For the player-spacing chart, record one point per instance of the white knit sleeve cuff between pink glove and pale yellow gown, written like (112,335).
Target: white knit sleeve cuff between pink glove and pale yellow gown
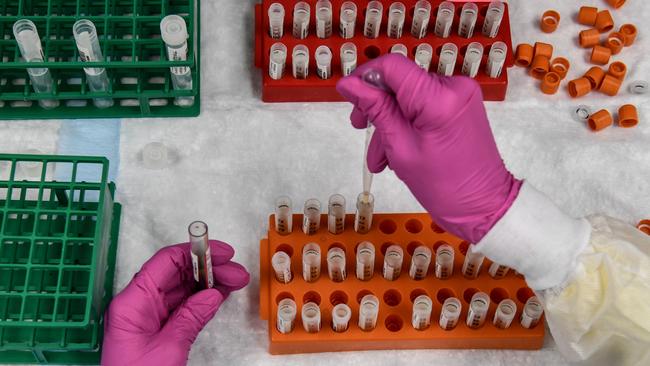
(536,239)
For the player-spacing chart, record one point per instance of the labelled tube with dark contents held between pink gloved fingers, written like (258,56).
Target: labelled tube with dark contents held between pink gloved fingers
(200,253)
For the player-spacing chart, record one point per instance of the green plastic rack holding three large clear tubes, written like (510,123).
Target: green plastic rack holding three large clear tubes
(135,59)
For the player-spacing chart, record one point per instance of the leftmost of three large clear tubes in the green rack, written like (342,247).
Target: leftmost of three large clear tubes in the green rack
(31,50)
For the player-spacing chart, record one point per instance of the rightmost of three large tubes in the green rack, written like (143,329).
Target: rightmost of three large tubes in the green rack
(174,33)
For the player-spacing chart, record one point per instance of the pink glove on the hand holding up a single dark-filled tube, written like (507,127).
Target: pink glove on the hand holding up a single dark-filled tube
(157,317)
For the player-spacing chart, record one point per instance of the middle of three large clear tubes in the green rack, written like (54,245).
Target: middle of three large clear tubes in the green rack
(85,35)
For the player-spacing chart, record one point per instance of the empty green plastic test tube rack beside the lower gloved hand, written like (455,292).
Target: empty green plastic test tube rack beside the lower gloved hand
(58,242)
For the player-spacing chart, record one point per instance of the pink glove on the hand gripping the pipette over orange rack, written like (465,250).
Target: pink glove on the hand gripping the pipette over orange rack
(434,133)
